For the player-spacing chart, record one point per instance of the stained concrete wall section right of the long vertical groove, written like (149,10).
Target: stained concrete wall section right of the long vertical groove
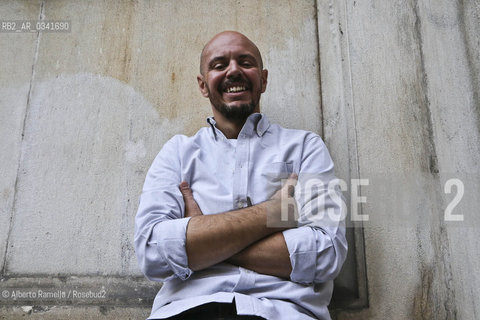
(406,98)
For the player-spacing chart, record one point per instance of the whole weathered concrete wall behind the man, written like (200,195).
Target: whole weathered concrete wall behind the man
(393,86)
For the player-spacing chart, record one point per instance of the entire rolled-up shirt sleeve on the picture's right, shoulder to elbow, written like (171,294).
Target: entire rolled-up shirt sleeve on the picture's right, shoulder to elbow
(318,247)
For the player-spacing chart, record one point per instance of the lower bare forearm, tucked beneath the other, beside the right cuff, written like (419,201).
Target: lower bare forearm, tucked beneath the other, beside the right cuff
(267,256)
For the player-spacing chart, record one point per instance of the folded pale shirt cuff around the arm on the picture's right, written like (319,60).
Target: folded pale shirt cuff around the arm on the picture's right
(301,244)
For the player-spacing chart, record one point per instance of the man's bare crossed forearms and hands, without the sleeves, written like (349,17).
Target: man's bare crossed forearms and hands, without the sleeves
(240,237)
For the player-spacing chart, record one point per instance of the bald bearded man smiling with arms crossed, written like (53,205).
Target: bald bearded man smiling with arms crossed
(214,222)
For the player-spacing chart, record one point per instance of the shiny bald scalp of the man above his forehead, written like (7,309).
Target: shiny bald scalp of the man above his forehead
(225,37)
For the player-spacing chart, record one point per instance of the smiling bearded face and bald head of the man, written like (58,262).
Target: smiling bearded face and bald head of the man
(232,75)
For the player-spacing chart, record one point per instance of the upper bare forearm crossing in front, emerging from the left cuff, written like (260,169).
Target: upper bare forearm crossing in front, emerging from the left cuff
(211,239)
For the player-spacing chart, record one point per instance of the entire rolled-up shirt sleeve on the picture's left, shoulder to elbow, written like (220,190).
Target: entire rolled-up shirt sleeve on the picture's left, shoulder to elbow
(160,228)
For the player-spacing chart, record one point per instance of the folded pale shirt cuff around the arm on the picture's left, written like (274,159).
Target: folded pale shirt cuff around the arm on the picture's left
(170,236)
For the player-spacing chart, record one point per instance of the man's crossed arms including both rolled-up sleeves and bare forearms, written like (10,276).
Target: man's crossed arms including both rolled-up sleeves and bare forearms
(171,242)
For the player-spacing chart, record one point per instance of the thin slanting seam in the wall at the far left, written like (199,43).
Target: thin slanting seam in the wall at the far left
(29,99)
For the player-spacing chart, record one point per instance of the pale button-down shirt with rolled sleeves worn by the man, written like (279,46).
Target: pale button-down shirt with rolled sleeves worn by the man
(224,176)
